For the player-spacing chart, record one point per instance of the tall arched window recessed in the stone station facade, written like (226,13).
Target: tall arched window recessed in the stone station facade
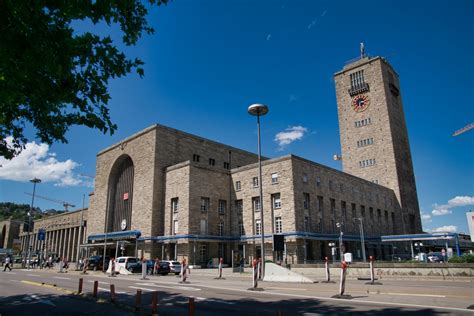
(120,195)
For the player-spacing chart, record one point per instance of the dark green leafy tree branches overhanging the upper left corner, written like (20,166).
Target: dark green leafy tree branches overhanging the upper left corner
(52,77)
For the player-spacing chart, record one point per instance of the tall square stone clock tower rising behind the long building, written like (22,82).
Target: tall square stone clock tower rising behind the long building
(373,132)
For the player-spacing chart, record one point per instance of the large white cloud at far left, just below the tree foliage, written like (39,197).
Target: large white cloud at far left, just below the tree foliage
(35,161)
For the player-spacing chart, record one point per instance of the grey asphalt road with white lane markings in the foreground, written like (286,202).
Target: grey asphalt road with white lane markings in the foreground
(22,293)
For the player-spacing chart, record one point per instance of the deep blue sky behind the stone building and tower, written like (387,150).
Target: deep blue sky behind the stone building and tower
(209,60)
